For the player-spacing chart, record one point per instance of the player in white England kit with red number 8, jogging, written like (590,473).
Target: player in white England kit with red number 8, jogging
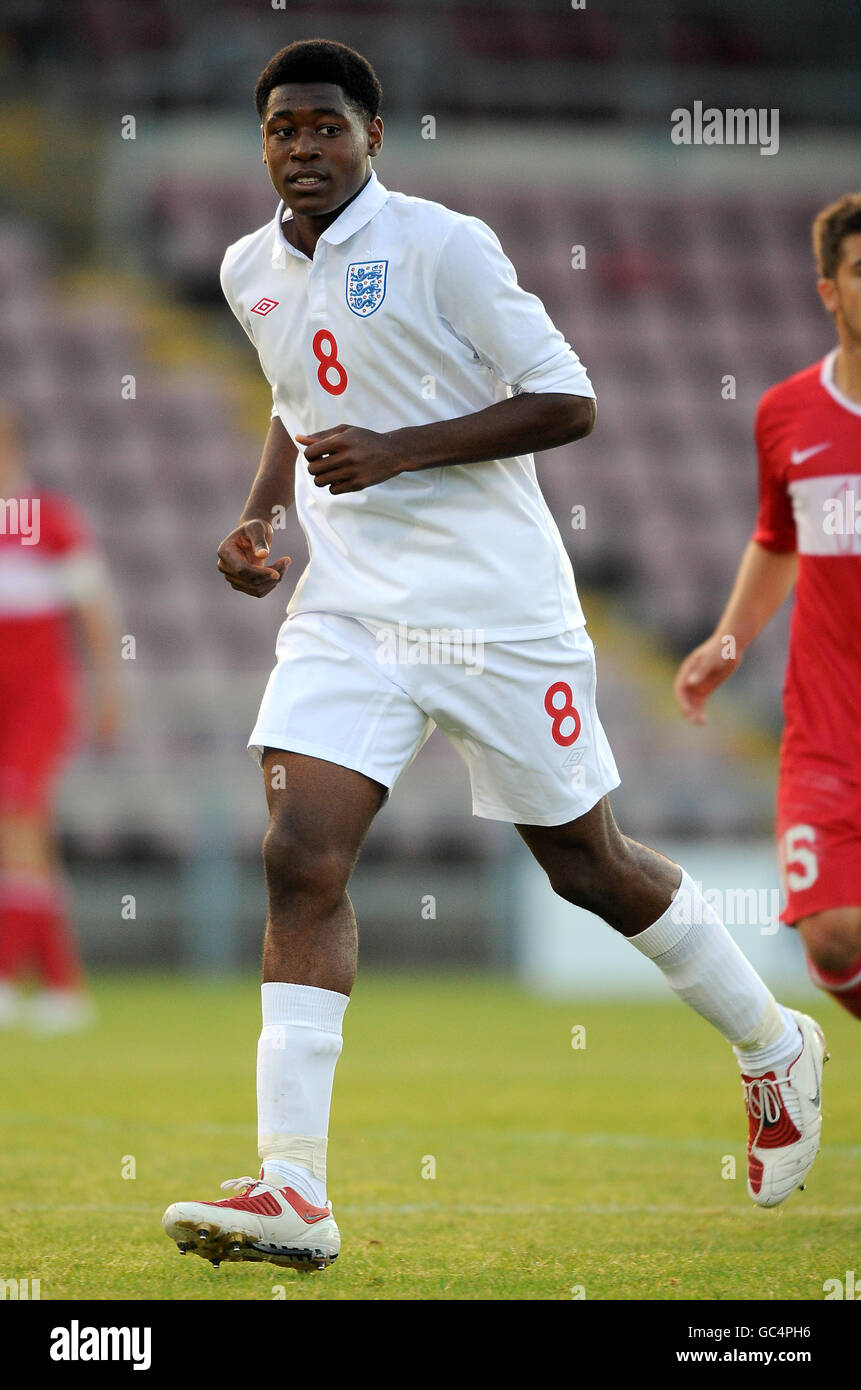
(412,383)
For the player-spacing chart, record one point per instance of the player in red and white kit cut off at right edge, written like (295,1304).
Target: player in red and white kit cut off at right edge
(809,533)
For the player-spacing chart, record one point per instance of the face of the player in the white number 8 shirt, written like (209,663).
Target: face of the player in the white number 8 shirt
(316,147)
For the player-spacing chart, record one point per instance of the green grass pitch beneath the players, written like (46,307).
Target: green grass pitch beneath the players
(554,1167)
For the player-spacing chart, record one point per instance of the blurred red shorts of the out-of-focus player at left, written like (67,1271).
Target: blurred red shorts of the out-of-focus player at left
(38,729)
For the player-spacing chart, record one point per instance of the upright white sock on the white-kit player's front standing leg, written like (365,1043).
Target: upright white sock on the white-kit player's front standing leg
(297,1056)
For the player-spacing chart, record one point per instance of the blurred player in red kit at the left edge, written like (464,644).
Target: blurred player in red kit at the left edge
(49,573)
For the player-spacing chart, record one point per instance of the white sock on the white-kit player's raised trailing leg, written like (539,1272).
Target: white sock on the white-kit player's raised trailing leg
(706,968)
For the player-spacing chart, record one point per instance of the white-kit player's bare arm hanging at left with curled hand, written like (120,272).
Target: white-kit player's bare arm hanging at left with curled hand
(244,554)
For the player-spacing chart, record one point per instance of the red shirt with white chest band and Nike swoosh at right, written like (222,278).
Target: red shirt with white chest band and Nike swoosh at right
(809,441)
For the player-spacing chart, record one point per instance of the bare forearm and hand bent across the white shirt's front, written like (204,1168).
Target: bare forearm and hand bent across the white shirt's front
(348,459)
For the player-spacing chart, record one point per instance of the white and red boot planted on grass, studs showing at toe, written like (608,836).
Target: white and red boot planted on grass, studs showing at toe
(264,1223)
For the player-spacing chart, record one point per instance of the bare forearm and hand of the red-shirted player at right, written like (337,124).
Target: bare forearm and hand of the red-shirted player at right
(763,584)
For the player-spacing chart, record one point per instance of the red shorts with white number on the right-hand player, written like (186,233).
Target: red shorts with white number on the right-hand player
(819,843)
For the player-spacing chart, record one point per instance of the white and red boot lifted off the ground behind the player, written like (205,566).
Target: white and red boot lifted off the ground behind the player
(785,1120)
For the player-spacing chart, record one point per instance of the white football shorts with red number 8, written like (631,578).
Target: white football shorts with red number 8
(522,715)
